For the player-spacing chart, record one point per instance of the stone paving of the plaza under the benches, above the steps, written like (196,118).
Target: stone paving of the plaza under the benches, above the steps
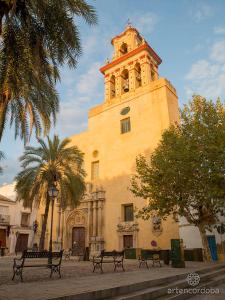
(77,277)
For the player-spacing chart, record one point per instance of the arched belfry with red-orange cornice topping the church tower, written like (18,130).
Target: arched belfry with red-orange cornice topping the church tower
(134,65)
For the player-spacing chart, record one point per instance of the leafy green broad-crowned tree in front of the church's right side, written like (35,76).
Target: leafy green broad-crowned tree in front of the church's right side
(186,172)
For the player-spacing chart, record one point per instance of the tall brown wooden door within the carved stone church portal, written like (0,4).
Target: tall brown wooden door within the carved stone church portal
(78,240)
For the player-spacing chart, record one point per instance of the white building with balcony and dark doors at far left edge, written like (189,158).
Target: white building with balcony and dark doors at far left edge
(16,222)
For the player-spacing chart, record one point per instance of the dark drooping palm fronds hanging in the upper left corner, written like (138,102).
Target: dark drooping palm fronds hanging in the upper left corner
(36,38)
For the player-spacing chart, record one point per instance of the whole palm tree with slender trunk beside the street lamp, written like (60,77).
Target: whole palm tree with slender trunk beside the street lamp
(54,162)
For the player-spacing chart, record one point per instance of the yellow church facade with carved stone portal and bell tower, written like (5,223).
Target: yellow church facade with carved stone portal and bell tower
(138,106)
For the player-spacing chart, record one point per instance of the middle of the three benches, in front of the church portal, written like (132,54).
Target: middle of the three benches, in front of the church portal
(114,257)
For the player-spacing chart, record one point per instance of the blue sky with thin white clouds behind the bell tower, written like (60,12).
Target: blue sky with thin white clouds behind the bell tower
(188,35)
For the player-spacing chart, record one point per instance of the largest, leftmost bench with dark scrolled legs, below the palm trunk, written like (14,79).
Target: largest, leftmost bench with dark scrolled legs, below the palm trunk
(52,261)
